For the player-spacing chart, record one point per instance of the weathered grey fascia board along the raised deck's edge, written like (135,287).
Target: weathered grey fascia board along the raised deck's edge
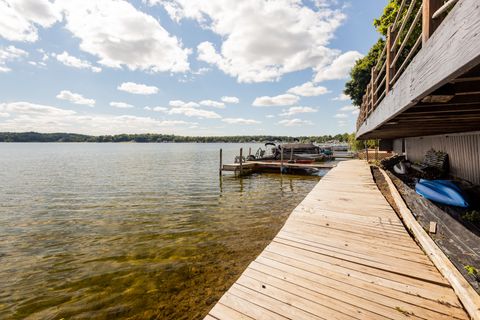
(455,46)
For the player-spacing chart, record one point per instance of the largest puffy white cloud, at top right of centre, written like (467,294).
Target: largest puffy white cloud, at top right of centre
(293,36)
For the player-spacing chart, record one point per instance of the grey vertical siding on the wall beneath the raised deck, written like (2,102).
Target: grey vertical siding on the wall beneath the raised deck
(463,152)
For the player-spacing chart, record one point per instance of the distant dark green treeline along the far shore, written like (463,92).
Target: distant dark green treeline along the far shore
(151,137)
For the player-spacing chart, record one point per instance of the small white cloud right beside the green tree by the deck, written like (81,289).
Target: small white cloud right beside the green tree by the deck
(339,68)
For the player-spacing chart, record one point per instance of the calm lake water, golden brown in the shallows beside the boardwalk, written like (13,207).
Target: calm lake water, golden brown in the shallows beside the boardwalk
(132,231)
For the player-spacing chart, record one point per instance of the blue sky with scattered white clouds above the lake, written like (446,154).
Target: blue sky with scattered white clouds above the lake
(185,67)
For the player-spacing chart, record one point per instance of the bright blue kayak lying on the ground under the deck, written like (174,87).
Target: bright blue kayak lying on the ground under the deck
(441,191)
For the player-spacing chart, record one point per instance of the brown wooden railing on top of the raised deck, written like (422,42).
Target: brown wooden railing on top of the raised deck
(402,43)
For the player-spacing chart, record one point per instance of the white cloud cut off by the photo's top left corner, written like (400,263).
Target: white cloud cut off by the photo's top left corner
(19,18)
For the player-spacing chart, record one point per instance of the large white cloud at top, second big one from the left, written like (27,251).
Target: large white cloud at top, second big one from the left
(120,35)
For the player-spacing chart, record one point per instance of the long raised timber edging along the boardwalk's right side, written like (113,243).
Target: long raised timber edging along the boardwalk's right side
(466,294)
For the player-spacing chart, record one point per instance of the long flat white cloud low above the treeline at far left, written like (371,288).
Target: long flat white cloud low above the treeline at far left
(26,116)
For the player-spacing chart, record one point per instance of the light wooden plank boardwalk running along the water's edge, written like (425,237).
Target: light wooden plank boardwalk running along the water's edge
(342,254)
